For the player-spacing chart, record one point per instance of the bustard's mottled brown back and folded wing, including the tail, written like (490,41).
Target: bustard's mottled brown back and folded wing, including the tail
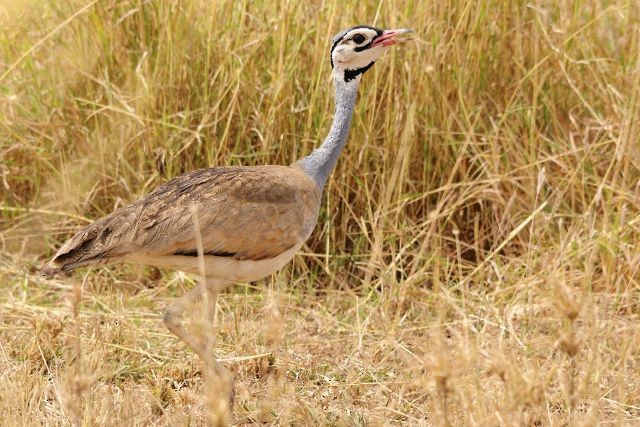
(249,213)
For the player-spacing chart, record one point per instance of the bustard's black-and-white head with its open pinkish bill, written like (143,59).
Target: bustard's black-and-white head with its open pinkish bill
(356,49)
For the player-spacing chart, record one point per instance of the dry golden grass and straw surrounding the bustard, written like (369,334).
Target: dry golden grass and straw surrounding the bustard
(476,259)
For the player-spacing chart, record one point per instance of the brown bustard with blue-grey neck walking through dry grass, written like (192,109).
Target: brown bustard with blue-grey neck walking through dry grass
(227,224)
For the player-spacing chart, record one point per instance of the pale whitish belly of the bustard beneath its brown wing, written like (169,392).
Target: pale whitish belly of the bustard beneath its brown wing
(225,269)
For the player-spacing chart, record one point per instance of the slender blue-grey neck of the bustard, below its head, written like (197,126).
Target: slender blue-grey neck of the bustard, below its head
(319,164)
